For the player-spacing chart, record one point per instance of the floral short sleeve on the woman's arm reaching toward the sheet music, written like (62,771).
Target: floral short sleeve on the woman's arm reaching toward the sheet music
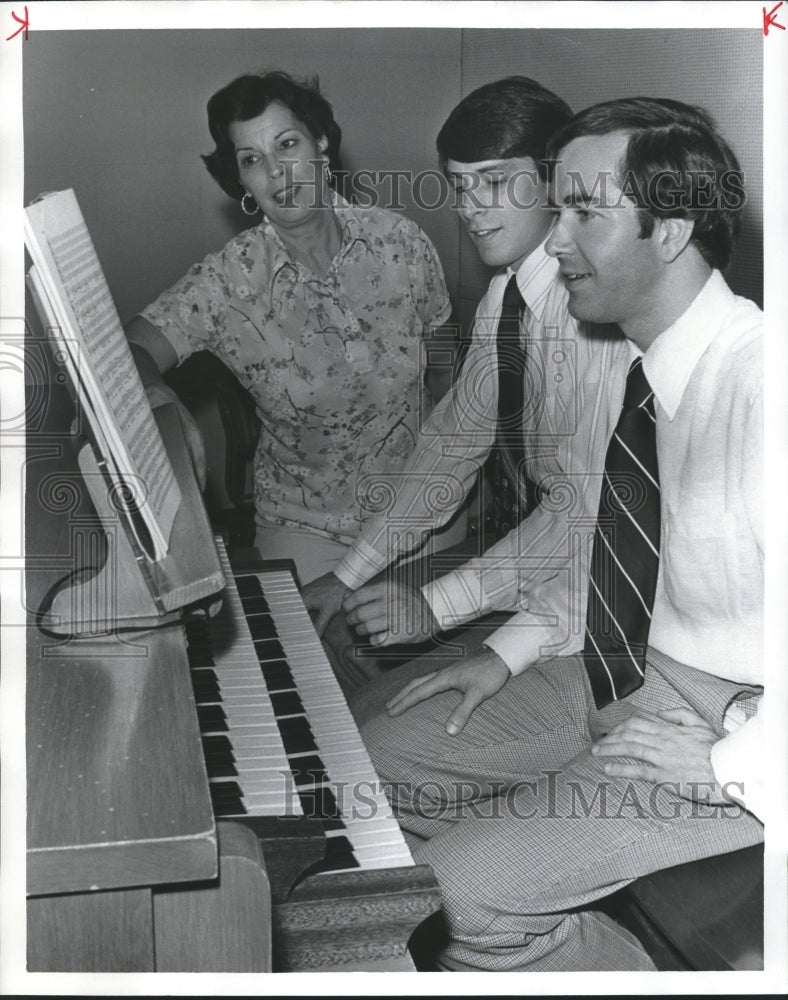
(193,313)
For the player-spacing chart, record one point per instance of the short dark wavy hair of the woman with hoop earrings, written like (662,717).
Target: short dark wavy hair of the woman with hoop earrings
(247,97)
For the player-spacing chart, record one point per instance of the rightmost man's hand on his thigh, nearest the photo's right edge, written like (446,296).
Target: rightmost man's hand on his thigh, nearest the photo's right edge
(674,749)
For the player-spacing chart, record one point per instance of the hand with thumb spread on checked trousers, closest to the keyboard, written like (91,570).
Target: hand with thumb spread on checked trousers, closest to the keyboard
(478,677)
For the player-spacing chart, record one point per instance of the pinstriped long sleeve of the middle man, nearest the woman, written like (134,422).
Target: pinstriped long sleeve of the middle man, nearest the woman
(453,443)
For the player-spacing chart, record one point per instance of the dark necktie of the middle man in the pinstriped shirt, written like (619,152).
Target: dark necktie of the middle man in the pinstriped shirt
(512,495)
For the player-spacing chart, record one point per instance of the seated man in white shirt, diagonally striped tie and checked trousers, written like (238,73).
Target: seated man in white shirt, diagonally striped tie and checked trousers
(589,756)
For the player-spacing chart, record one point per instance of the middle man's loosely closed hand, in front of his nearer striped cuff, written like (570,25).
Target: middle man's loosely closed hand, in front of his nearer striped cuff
(390,612)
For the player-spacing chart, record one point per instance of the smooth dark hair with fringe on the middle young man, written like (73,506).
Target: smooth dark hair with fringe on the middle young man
(510,117)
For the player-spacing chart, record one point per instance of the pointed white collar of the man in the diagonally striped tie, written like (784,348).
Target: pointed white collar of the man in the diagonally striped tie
(670,361)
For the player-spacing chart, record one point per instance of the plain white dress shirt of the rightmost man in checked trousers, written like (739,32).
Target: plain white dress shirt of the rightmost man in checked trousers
(707,377)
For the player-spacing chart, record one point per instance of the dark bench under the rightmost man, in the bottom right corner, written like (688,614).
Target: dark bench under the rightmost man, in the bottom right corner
(705,915)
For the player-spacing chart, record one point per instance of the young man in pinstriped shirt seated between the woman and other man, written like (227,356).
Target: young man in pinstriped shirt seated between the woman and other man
(526,401)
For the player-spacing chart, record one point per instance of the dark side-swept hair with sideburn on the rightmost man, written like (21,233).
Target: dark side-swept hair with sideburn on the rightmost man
(676,166)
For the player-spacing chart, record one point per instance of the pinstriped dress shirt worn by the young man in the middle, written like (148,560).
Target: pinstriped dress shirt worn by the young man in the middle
(571,366)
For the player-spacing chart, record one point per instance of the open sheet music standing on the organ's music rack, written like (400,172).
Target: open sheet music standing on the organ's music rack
(71,289)
